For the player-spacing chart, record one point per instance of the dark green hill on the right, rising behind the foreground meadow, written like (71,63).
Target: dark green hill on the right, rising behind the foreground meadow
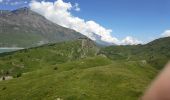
(155,53)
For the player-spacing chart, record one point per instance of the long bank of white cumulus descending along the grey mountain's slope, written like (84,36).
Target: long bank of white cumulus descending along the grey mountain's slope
(59,12)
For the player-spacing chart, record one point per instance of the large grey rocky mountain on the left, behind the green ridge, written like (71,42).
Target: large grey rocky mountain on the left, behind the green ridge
(25,28)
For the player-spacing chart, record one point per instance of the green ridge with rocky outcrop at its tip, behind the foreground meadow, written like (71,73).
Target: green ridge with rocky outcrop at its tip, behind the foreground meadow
(36,58)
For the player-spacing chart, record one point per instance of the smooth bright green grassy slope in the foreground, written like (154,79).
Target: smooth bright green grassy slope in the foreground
(96,78)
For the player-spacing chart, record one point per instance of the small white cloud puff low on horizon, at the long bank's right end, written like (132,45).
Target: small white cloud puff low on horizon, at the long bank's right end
(130,41)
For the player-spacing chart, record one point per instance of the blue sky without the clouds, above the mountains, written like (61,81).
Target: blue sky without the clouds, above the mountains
(142,19)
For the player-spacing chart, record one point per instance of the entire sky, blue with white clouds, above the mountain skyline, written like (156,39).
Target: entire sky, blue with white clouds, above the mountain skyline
(115,21)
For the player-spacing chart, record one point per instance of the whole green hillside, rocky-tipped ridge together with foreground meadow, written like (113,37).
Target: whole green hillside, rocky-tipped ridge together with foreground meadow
(72,70)
